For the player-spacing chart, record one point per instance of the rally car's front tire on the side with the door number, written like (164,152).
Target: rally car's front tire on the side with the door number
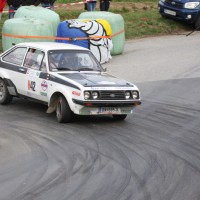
(63,111)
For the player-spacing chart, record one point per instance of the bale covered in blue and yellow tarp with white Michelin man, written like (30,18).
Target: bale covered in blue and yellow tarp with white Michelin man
(80,30)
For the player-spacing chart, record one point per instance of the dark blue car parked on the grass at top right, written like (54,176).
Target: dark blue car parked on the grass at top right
(183,10)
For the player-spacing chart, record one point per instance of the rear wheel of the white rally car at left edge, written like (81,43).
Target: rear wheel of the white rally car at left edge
(5,97)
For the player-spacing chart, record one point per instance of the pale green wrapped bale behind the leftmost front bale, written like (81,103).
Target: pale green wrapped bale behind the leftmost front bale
(38,12)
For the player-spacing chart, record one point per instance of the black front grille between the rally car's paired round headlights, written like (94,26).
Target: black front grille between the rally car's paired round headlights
(112,95)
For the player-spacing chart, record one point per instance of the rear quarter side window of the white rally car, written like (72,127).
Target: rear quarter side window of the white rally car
(16,56)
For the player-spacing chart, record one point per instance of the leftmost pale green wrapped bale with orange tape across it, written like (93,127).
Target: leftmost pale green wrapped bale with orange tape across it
(14,28)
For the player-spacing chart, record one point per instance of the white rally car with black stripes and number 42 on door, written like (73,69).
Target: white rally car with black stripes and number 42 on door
(67,78)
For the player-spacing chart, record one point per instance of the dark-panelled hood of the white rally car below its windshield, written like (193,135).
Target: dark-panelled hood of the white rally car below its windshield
(96,79)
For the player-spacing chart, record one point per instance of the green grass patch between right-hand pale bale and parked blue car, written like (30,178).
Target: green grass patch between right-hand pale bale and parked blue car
(149,23)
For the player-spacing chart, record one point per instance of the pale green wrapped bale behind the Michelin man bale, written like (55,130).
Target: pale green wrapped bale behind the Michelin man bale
(117,25)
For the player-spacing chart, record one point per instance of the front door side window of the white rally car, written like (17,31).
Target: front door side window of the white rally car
(34,59)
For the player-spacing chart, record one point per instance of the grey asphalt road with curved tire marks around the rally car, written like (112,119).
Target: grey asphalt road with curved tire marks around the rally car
(153,155)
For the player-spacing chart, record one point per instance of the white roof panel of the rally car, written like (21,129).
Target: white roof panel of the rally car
(51,46)
